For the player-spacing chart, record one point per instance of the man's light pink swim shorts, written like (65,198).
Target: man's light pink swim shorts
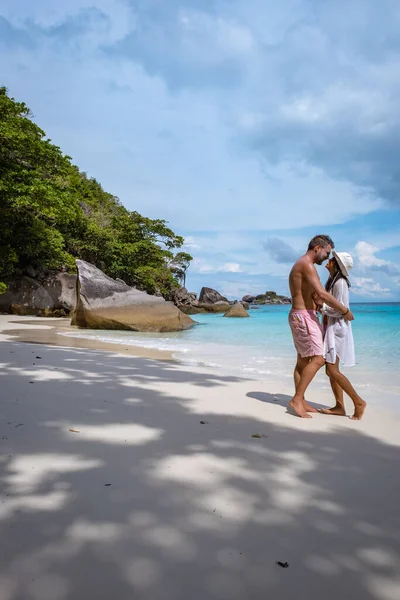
(307,332)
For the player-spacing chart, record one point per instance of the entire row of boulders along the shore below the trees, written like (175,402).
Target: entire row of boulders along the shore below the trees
(100,302)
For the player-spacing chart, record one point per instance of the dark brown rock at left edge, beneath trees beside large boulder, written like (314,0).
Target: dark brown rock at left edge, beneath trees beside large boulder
(42,293)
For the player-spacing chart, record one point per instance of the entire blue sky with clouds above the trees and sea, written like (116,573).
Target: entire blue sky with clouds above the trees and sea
(249,125)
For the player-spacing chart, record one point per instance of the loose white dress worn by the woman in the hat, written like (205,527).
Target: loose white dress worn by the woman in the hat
(338,335)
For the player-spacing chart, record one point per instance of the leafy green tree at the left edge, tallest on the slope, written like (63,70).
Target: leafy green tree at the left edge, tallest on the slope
(34,194)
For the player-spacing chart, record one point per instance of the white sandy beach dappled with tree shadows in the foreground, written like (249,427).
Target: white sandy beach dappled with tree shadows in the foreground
(141,500)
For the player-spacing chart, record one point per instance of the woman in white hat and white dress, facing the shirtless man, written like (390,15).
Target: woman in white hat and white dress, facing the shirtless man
(338,337)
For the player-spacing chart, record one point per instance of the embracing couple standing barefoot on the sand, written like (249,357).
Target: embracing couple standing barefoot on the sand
(330,342)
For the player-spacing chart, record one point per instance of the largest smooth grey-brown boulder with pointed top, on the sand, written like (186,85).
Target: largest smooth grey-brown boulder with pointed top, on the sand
(104,303)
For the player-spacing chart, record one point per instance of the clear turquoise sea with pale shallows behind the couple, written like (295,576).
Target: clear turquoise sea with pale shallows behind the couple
(262,344)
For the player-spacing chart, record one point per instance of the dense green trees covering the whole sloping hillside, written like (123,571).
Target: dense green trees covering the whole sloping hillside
(51,213)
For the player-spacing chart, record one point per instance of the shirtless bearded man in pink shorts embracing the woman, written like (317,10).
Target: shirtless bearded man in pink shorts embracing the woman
(303,321)
